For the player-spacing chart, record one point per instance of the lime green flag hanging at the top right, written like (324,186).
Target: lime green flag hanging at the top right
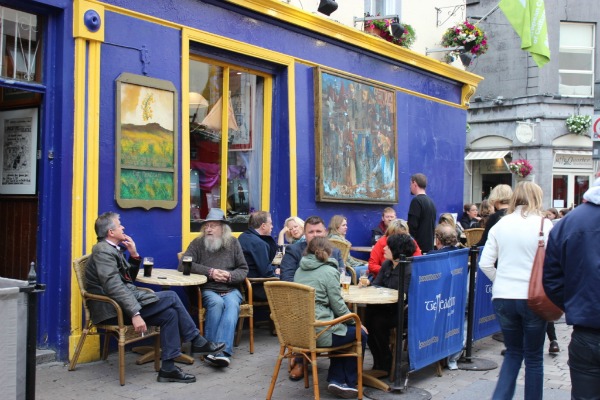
(528,17)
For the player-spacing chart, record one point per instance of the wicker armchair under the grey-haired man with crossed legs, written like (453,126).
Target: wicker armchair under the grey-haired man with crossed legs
(125,334)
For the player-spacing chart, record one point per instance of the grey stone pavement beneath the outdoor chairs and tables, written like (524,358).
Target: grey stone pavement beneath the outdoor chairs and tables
(249,375)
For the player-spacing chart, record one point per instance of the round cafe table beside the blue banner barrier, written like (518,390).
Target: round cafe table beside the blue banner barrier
(371,295)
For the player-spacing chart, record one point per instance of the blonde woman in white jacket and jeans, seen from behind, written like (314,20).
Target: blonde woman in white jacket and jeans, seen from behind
(513,243)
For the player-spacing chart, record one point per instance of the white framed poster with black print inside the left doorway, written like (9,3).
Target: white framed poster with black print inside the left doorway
(18,135)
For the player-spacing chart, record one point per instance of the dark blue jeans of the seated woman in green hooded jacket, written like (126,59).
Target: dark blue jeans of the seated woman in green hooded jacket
(343,369)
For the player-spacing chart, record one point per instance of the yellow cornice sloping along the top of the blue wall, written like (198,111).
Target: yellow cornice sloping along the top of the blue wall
(313,21)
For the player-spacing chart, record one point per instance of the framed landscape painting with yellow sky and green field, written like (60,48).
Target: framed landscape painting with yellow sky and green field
(146,132)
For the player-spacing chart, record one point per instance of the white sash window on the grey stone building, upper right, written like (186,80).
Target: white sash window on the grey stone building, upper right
(576,59)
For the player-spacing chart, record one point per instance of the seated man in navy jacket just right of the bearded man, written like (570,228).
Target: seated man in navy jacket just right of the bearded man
(259,250)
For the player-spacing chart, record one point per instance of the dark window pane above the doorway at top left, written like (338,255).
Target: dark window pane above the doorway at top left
(20,45)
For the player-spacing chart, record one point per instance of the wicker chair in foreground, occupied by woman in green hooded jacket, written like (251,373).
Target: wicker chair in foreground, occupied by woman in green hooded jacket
(293,312)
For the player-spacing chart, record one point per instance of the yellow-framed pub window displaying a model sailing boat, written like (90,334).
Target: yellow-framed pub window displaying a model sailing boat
(225,101)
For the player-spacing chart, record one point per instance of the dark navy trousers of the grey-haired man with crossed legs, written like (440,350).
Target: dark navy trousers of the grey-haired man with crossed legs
(174,321)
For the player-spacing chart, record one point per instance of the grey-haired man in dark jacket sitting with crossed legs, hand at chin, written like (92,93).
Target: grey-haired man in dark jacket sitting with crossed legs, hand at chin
(108,273)
